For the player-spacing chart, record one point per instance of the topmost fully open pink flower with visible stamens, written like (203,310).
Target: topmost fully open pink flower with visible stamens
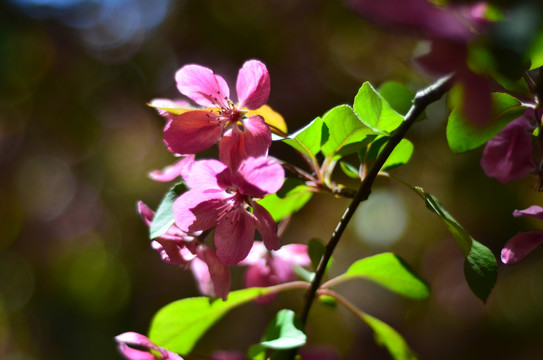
(194,131)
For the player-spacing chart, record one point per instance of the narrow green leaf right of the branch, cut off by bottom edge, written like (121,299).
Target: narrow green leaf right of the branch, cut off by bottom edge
(389,338)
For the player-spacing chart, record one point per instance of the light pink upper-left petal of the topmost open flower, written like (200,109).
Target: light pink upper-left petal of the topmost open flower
(202,85)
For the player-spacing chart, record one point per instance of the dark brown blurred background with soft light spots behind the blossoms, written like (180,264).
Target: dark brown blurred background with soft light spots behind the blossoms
(77,141)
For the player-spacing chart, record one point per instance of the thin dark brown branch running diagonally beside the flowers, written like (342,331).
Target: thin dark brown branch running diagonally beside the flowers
(422,99)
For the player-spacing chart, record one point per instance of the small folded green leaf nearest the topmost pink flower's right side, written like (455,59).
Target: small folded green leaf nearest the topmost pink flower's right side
(309,139)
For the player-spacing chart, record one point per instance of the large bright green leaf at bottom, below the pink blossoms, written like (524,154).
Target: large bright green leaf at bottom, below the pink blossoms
(180,324)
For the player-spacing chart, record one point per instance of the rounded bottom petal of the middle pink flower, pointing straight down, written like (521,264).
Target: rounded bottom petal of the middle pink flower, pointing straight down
(234,236)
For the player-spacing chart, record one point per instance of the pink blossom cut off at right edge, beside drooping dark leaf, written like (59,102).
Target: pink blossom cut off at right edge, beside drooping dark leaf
(522,244)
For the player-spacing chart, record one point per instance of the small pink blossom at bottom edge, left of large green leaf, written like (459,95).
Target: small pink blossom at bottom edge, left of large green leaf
(150,351)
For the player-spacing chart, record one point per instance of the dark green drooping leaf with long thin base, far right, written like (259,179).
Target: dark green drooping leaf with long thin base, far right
(480,267)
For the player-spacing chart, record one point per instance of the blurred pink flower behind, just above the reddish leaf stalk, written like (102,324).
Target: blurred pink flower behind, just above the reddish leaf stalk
(268,268)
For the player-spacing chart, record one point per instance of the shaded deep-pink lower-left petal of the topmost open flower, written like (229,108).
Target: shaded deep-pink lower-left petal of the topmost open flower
(191,132)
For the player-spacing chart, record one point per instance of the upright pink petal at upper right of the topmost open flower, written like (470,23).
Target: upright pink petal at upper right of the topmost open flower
(253,85)
